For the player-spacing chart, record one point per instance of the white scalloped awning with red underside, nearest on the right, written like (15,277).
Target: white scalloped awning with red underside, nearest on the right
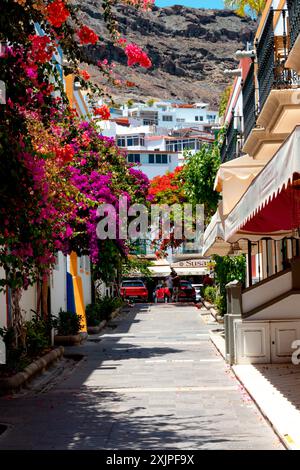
(271,205)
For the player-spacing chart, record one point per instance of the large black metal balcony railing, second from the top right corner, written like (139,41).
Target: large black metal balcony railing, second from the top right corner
(272,53)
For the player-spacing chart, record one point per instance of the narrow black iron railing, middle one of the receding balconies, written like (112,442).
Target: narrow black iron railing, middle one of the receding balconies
(249,105)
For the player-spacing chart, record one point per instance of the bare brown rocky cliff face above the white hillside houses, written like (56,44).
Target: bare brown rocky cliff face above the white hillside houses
(189,49)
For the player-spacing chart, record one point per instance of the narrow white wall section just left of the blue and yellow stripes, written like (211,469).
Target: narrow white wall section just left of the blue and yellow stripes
(58,285)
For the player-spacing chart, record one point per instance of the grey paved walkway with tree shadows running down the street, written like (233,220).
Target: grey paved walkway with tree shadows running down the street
(153,381)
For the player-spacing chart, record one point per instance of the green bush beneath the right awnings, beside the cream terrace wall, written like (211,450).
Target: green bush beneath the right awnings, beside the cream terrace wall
(227,269)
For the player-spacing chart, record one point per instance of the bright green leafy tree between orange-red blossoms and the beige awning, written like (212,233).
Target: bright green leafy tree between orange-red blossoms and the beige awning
(199,175)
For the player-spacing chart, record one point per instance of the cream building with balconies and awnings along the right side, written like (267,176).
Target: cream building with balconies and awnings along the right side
(259,181)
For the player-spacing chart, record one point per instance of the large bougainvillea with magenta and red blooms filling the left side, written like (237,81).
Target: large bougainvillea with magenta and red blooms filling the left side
(46,154)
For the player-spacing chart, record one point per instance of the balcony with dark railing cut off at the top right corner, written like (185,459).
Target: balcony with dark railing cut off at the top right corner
(293,61)
